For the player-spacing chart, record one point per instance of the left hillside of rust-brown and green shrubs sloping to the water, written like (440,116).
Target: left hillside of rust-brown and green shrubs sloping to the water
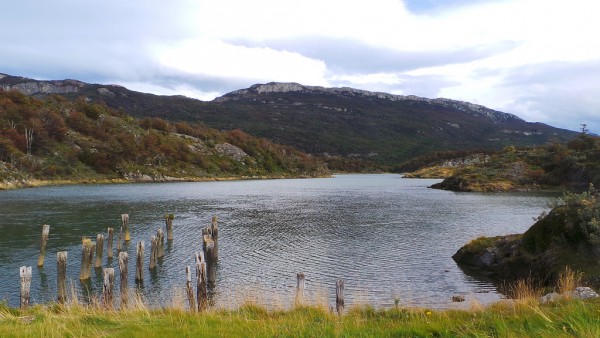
(78,141)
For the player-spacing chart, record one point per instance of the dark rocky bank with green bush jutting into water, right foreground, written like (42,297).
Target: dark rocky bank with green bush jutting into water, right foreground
(567,236)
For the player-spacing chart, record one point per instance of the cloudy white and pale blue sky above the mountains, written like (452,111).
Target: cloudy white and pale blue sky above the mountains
(537,59)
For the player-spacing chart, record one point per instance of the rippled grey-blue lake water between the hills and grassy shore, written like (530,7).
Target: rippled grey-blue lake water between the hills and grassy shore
(390,238)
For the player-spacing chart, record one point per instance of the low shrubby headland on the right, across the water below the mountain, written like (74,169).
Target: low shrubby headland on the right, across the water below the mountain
(571,166)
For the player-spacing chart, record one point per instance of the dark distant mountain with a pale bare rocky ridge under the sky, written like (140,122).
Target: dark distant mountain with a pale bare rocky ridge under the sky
(380,127)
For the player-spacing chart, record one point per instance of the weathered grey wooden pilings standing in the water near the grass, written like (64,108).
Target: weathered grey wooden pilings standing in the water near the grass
(205,266)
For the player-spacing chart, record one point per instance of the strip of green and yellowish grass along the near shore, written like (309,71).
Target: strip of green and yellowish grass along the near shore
(508,319)
